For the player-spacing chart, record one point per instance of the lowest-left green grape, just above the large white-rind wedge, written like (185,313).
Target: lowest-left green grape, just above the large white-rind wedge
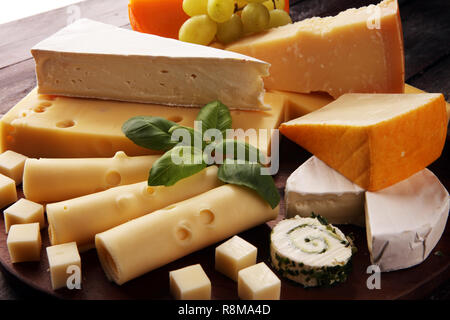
(199,29)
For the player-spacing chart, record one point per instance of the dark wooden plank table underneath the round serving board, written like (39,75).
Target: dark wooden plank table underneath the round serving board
(426,28)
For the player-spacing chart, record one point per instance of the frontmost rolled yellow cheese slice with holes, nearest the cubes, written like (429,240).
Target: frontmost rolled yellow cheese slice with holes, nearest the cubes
(149,242)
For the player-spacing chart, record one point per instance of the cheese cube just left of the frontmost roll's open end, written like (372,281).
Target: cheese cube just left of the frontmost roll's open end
(60,258)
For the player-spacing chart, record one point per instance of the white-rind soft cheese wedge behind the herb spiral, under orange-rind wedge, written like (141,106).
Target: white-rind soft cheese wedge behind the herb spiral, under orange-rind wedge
(316,188)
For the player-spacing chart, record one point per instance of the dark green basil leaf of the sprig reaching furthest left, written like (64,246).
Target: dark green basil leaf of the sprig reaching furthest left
(150,132)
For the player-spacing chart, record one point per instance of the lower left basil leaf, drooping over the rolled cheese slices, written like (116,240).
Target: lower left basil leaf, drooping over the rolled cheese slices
(166,172)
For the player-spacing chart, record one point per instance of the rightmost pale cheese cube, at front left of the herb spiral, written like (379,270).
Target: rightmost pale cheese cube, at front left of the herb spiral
(258,282)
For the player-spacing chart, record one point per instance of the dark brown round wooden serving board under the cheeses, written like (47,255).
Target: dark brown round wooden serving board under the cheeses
(415,282)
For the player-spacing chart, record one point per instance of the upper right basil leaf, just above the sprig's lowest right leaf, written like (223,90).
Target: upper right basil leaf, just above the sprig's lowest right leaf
(241,151)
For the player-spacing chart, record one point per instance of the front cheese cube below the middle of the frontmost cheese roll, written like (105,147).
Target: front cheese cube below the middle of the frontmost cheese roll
(190,283)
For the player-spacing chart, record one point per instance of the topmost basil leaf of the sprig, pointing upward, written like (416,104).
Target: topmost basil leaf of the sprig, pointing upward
(215,115)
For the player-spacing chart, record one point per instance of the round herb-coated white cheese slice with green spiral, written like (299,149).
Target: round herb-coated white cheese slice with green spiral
(310,252)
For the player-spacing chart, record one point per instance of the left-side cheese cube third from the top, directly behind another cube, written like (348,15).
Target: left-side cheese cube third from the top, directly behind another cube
(24,211)
